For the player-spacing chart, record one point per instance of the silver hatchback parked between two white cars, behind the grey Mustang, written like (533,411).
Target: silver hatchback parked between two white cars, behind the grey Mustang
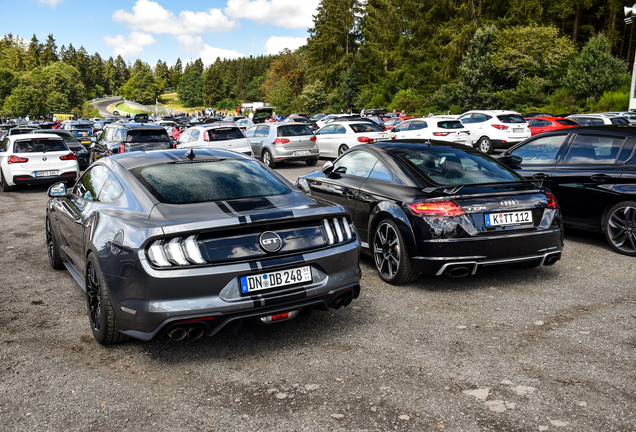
(278,142)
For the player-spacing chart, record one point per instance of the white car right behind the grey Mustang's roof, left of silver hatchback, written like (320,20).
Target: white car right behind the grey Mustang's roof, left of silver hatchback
(223,136)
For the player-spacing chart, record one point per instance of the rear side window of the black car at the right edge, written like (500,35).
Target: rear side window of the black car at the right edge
(594,149)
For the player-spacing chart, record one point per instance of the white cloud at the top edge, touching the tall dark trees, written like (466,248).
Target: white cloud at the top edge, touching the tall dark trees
(290,14)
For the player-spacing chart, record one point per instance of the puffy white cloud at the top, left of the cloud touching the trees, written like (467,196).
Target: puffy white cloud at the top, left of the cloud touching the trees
(151,17)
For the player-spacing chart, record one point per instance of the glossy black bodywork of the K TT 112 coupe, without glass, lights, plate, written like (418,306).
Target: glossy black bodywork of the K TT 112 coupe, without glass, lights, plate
(433,242)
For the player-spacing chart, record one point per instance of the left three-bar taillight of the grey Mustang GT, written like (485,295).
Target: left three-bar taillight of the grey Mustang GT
(176,252)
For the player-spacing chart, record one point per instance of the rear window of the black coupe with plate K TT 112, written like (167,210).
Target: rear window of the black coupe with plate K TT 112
(458,167)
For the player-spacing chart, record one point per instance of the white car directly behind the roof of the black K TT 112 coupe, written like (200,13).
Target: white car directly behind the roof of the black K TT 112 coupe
(438,128)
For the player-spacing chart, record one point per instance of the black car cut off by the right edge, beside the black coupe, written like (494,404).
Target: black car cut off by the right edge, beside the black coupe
(592,172)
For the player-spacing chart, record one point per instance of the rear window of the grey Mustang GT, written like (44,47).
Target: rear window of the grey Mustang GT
(187,183)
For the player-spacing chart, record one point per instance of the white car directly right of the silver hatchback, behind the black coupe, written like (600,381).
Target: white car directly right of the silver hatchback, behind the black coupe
(338,137)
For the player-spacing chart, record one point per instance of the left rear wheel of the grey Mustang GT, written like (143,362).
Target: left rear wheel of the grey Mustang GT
(101,313)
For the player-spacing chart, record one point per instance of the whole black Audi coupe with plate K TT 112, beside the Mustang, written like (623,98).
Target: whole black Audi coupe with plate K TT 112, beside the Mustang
(437,208)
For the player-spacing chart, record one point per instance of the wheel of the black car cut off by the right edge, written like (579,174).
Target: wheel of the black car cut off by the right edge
(620,228)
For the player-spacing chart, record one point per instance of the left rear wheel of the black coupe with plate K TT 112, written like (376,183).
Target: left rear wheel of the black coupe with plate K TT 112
(391,258)
